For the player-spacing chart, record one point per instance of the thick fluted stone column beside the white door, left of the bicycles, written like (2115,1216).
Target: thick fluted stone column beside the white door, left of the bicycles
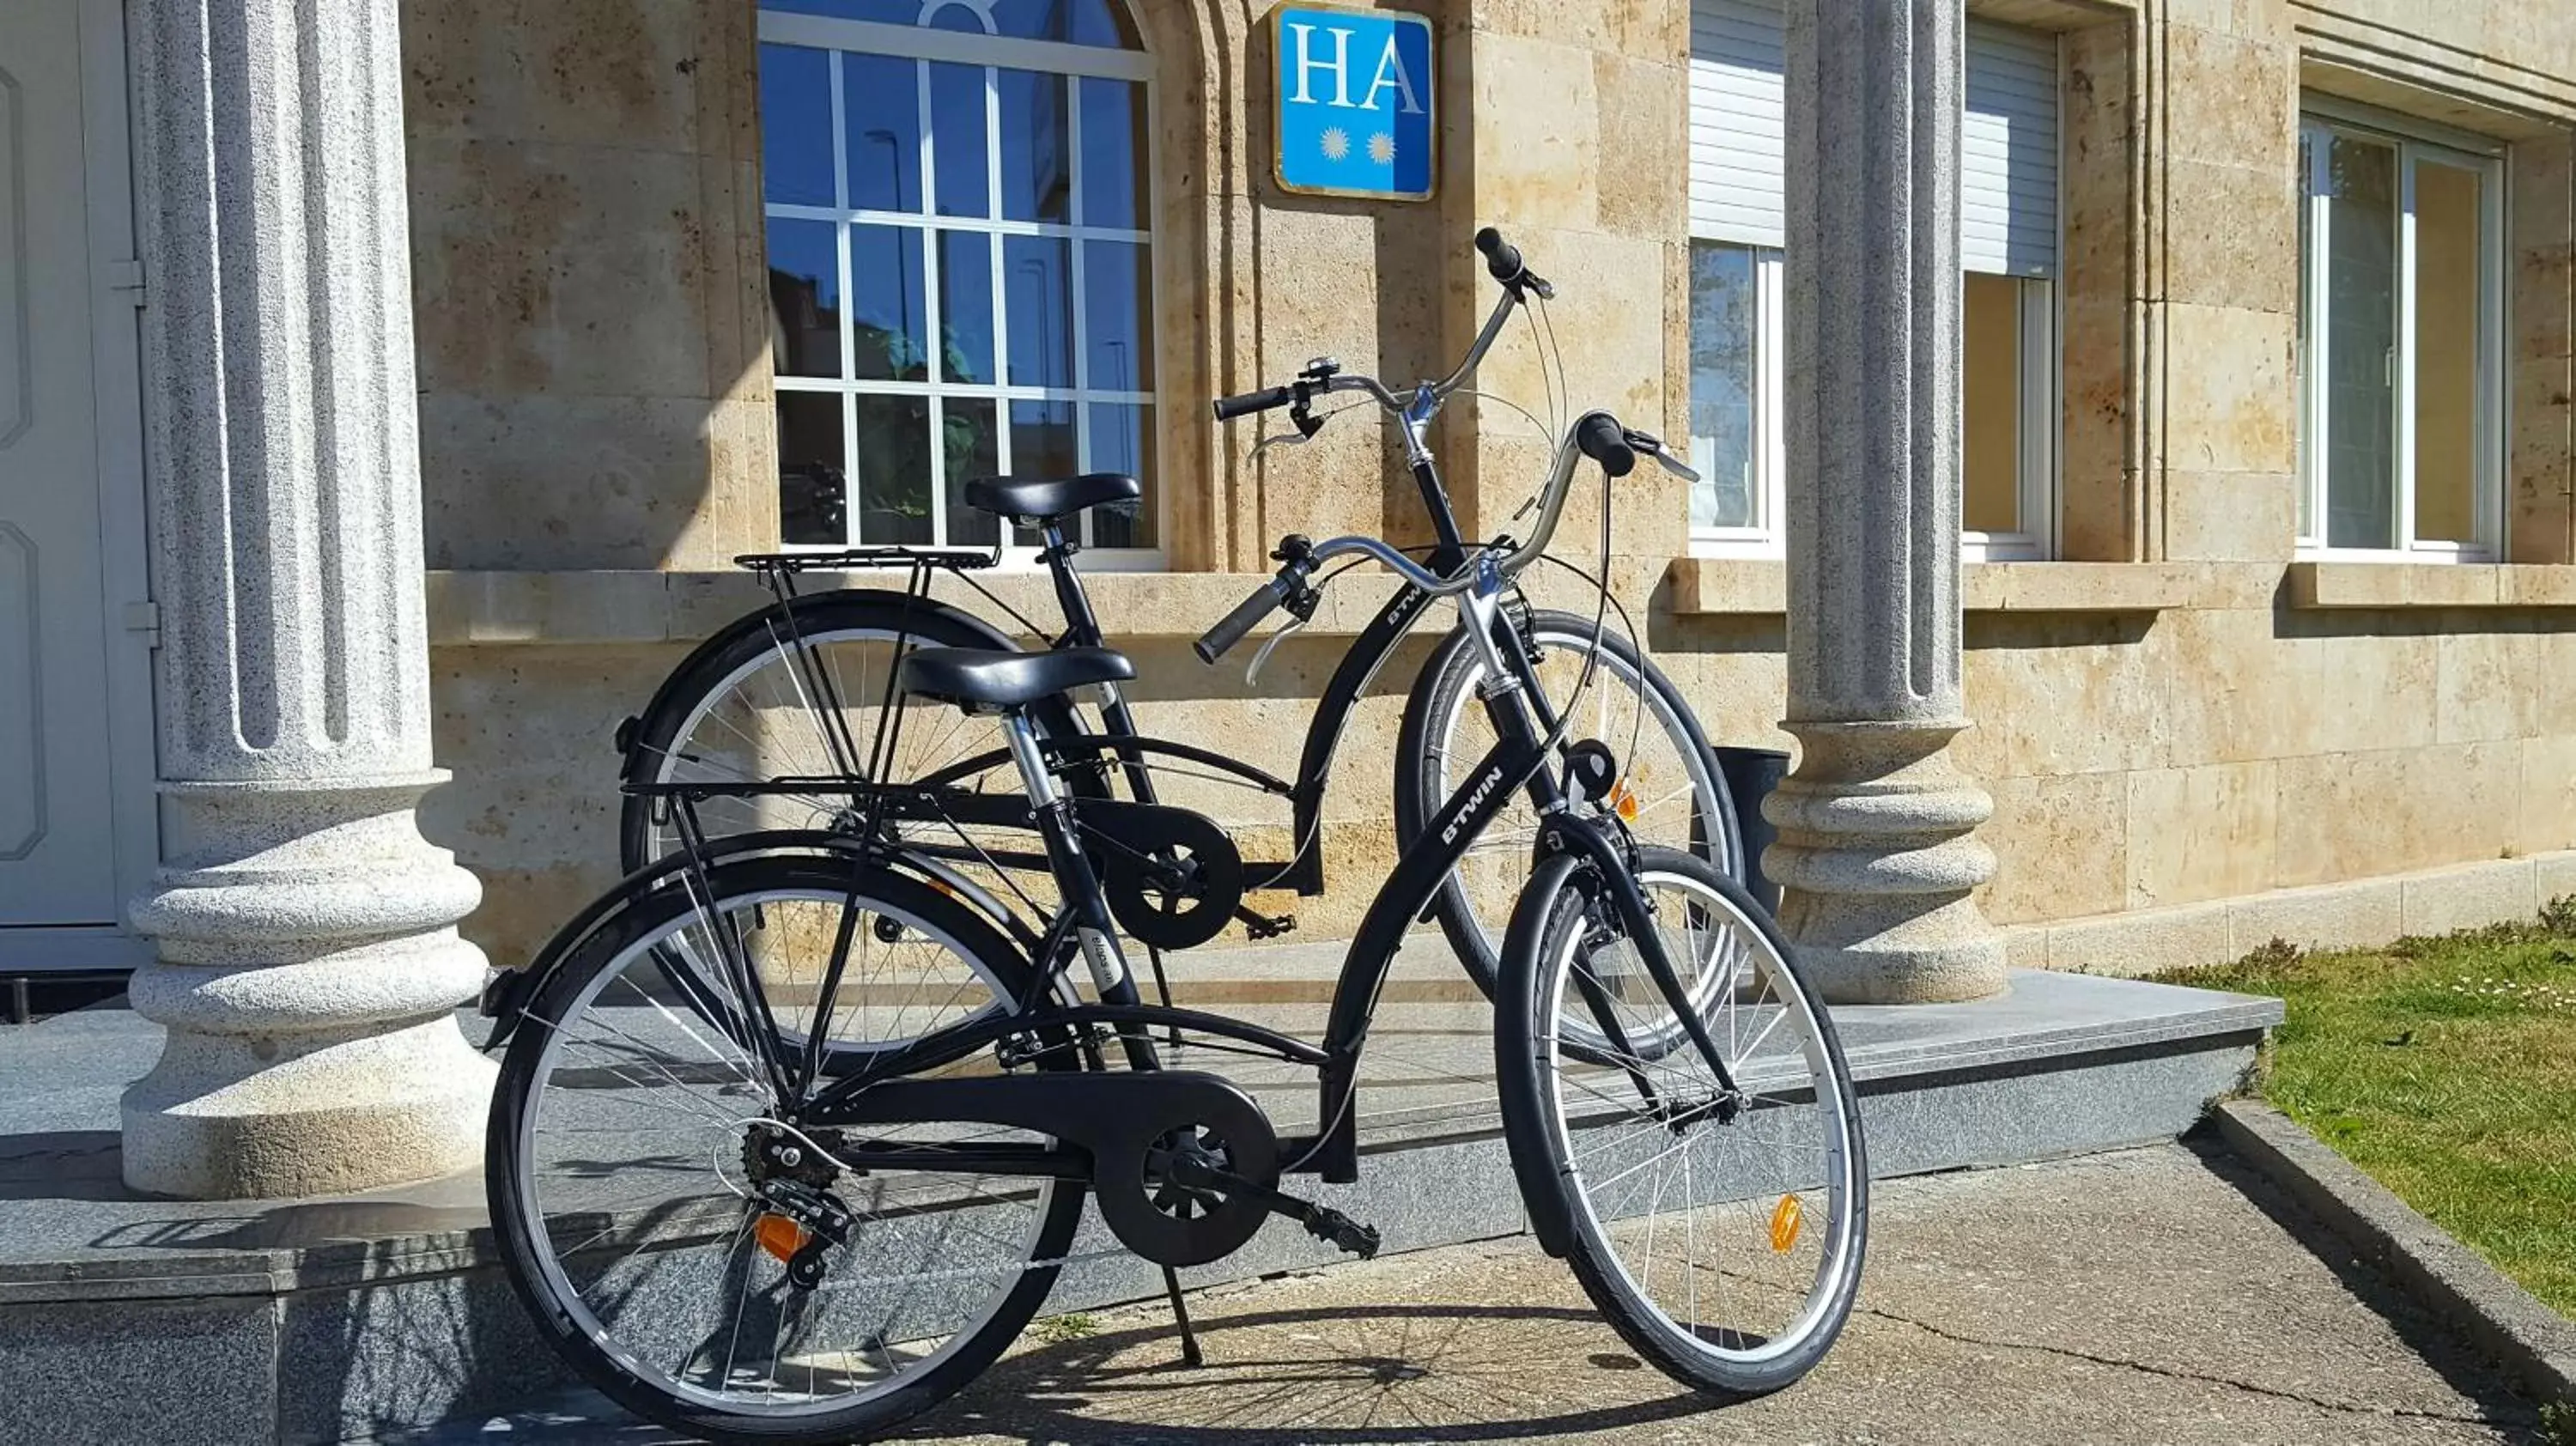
(308,934)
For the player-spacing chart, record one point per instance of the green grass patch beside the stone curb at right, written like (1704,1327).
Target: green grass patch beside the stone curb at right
(2446,1068)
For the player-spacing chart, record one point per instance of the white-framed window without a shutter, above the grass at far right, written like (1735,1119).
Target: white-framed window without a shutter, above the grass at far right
(2400,336)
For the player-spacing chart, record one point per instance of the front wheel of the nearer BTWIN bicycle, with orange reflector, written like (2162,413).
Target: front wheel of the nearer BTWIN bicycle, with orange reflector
(1719,1228)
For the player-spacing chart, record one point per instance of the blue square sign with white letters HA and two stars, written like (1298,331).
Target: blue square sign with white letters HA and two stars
(1356,102)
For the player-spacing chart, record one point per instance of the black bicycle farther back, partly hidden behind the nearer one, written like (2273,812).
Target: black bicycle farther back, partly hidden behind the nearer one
(802,692)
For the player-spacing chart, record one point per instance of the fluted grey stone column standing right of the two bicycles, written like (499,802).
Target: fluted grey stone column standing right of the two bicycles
(1877,826)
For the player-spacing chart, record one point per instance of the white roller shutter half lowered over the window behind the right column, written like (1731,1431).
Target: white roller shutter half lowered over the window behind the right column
(2008,140)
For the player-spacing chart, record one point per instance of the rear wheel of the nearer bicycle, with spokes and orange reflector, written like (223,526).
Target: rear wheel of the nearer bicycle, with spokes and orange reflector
(638,1164)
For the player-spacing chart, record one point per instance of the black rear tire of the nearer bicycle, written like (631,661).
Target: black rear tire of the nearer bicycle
(511,1187)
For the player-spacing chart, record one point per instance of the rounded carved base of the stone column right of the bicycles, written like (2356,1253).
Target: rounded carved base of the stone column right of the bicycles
(1877,865)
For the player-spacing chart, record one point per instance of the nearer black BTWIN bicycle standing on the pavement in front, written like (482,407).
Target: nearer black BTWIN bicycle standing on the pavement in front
(795,1130)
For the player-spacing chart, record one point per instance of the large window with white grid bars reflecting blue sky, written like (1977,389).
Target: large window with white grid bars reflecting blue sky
(960,262)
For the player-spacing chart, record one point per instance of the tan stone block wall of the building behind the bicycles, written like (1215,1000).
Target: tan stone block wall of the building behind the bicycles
(2173,718)
